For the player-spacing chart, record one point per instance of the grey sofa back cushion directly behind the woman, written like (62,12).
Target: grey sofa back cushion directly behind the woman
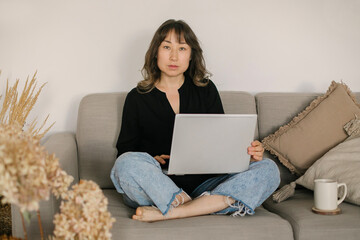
(98,127)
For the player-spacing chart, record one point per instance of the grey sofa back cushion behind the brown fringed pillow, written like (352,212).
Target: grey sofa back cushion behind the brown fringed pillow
(277,109)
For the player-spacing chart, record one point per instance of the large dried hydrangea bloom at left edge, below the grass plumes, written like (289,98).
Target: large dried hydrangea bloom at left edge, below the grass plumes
(27,171)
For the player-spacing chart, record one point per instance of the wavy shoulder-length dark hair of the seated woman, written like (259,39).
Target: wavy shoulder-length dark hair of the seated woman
(196,70)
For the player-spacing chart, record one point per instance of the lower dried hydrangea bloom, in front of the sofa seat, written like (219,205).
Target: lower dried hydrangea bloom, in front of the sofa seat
(84,214)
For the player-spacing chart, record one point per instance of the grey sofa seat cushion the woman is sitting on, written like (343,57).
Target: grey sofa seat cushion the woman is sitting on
(262,225)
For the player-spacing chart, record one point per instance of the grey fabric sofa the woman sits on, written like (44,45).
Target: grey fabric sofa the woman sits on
(90,153)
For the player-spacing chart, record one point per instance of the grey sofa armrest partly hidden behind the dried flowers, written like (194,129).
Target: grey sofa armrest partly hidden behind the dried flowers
(65,148)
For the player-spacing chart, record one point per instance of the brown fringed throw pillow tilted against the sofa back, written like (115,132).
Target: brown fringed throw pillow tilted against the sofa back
(315,130)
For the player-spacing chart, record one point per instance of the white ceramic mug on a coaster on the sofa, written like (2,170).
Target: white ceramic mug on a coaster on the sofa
(326,194)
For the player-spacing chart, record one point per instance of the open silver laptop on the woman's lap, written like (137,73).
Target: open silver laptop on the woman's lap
(211,143)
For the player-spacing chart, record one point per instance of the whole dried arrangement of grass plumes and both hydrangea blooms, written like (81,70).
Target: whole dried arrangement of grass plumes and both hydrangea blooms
(28,174)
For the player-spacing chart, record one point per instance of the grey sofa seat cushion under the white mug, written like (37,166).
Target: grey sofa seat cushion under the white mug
(308,225)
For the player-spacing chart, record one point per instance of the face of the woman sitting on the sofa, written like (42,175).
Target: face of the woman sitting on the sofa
(173,56)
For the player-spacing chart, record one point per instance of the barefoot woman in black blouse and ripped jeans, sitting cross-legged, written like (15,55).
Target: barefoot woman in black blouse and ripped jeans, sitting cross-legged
(176,82)
